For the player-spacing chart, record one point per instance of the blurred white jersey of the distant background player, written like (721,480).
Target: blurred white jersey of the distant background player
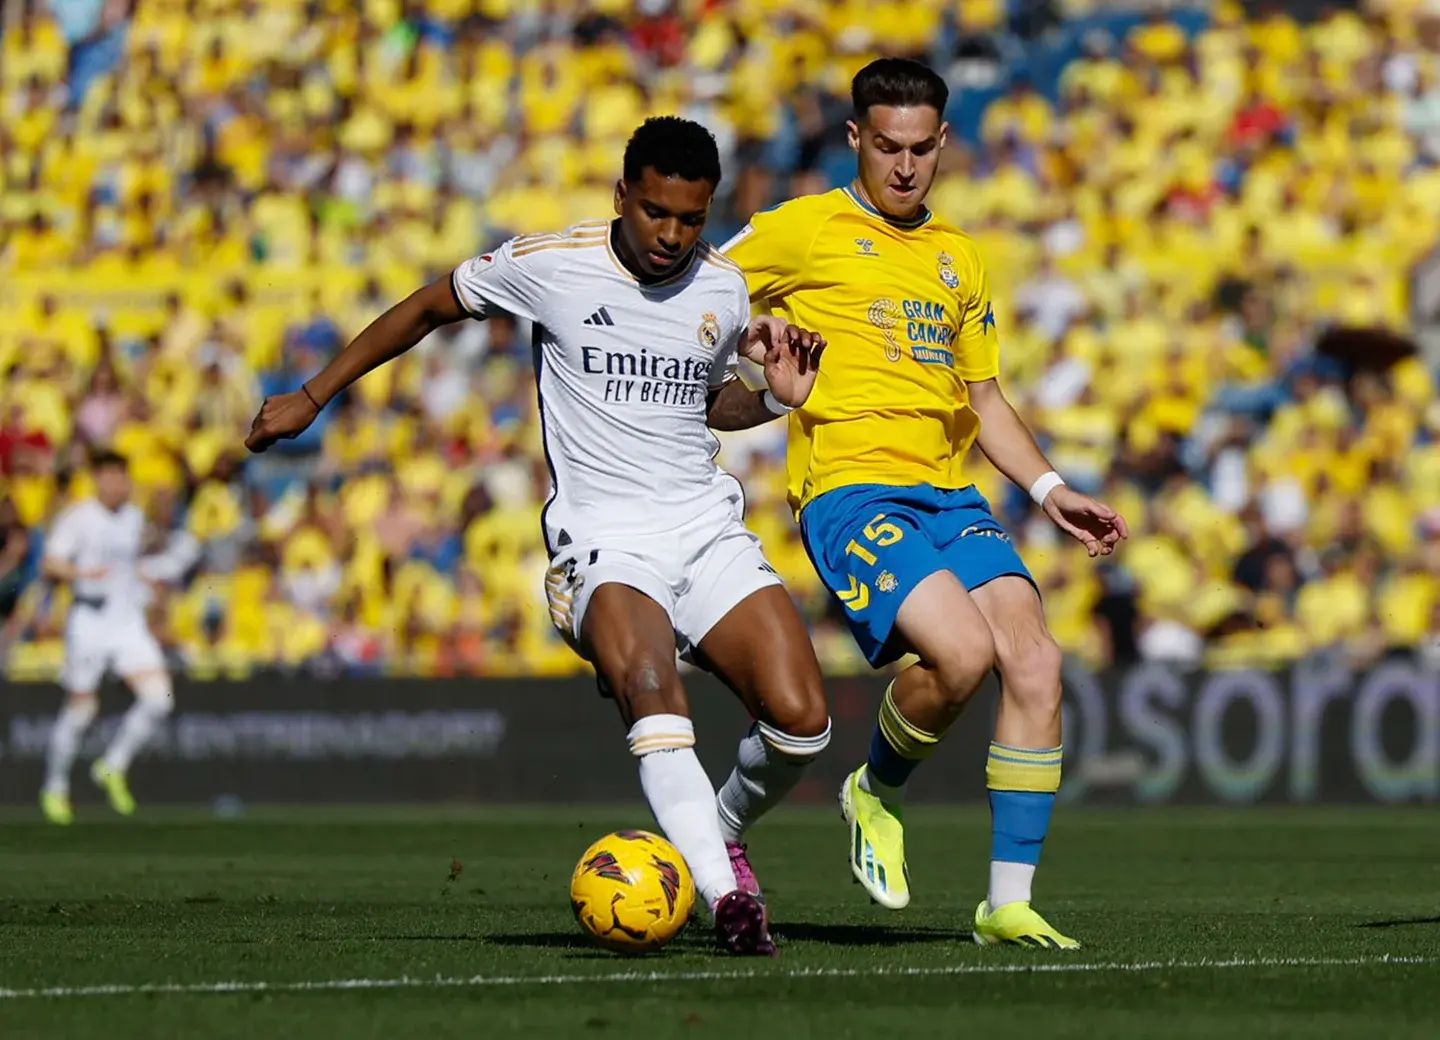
(91,537)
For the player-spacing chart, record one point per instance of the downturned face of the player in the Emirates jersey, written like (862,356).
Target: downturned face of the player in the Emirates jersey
(662,220)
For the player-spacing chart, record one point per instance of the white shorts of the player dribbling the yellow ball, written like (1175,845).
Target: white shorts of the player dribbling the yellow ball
(698,573)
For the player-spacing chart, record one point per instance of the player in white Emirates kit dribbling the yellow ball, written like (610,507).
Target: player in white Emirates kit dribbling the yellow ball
(639,326)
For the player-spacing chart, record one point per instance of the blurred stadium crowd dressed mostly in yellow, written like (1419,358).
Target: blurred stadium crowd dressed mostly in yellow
(202,200)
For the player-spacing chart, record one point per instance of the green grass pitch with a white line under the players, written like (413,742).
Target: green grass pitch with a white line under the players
(345,924)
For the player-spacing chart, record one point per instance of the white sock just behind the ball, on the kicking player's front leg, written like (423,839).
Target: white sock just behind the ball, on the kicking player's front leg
(683,800)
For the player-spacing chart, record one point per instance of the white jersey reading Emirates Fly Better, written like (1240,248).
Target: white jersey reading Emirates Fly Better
(624,371)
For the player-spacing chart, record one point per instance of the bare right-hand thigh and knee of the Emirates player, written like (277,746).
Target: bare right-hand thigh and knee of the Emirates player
(762,650)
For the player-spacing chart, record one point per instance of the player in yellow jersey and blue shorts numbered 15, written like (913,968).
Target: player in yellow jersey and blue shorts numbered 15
(878,479)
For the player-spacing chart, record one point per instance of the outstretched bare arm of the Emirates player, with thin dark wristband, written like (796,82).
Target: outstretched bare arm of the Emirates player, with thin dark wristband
(385,339)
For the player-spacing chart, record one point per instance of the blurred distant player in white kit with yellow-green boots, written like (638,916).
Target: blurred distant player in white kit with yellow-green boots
(97,547)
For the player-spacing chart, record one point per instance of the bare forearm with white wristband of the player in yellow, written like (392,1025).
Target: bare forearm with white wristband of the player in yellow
(1009,444)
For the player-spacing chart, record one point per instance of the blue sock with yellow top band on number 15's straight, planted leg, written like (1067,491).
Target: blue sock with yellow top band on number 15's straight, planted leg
(1023,784)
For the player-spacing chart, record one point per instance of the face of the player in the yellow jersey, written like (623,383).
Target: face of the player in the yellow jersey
(899,152)
